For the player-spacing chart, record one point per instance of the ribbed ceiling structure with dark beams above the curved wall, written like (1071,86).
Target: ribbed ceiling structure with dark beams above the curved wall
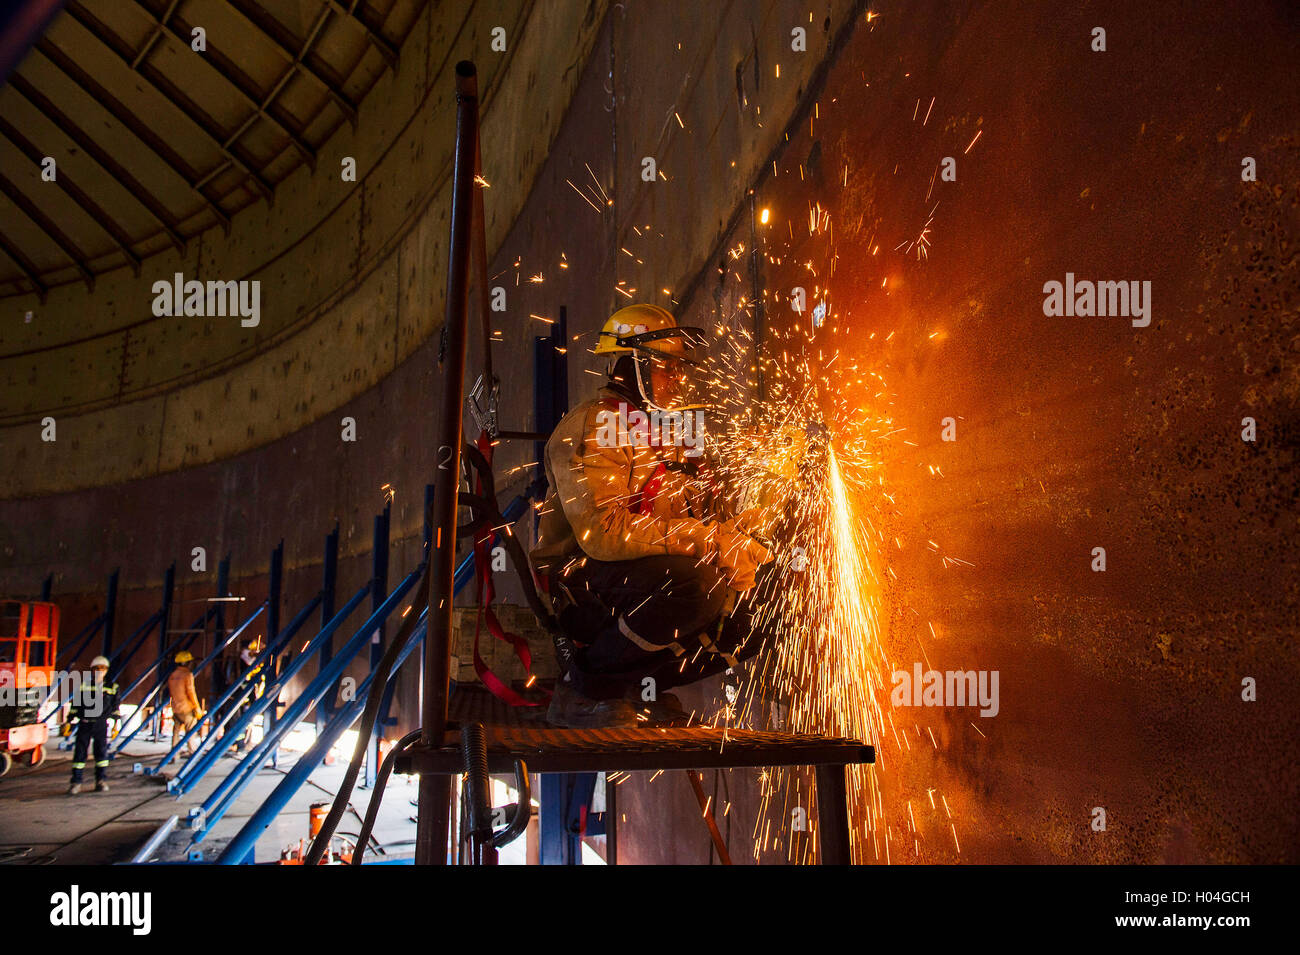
(154,141)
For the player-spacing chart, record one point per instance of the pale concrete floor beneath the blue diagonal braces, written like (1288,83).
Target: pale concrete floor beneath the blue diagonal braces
(106,828)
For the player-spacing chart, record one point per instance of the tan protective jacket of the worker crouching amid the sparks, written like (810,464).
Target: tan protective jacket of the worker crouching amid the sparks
(618,500)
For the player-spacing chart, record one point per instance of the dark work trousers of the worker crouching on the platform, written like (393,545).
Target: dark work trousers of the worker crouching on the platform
(660,618)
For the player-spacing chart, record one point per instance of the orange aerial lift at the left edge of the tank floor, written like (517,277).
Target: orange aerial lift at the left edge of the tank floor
(29,644)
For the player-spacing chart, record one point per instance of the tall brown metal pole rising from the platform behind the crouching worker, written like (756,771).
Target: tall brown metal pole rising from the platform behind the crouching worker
(436,792)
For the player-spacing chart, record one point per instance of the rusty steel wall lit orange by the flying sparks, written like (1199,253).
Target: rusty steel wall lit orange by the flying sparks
(1120,691)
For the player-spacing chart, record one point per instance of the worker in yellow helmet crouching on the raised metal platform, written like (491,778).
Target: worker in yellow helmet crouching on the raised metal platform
(640,566)
